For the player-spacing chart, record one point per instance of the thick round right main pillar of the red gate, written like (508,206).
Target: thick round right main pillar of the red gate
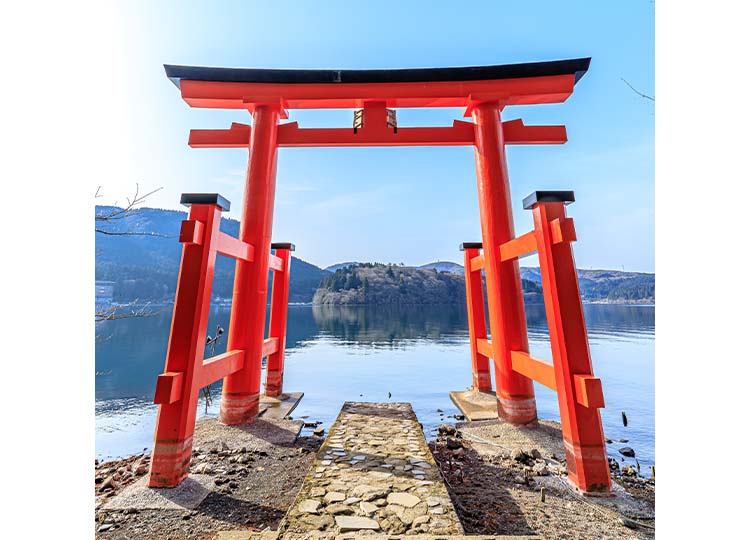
(515,393)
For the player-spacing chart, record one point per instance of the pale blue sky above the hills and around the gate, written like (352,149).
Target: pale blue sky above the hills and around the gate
(411,205)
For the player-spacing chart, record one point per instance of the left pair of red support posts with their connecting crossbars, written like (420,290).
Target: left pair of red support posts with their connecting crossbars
(186,370)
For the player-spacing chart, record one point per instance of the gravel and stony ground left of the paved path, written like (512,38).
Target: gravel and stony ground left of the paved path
(254,485)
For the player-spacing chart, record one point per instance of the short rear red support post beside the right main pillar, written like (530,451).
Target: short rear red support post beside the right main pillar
(480,365)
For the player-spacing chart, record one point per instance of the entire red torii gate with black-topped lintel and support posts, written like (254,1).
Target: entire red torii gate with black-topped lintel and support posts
(483,92)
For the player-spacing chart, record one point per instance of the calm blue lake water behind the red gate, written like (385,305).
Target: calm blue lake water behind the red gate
(417,353)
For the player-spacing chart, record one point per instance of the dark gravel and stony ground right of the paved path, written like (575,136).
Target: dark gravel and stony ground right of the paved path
(500,492)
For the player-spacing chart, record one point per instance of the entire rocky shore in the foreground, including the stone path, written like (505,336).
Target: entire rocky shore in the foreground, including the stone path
(475,478)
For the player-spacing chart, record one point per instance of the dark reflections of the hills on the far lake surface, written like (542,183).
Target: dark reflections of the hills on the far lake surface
(130,352)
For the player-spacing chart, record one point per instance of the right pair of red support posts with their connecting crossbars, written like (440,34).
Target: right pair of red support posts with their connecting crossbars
(579,393)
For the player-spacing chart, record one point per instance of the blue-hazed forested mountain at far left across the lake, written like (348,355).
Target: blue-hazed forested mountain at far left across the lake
(144,266)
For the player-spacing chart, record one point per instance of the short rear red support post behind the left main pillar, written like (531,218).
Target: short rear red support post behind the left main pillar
(277,324)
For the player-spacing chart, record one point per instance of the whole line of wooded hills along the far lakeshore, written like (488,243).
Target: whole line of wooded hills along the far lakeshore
(144,266)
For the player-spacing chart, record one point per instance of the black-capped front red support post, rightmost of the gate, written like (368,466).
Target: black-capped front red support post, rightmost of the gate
(586,454)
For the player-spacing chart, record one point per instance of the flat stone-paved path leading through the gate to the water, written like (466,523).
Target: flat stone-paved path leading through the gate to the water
(373,475)
